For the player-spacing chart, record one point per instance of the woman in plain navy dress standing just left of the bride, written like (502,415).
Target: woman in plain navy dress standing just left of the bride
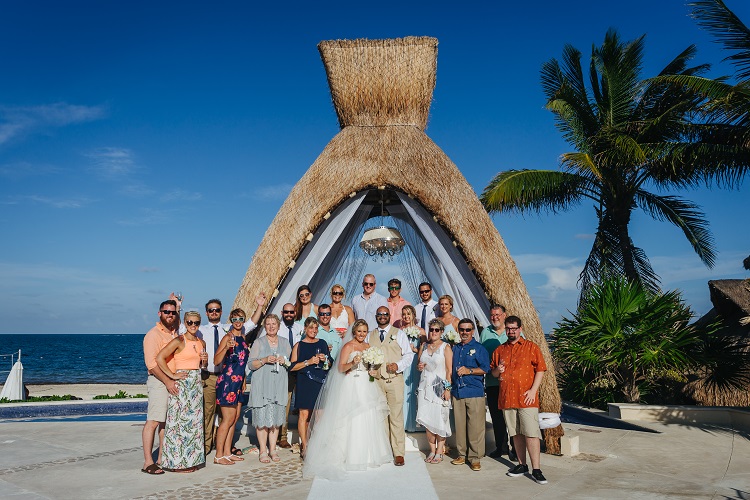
(311,360)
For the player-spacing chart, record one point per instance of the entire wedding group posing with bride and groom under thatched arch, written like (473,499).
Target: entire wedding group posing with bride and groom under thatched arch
(359,376)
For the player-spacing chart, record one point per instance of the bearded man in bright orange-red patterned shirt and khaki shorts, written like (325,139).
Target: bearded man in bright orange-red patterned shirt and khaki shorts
(519,365)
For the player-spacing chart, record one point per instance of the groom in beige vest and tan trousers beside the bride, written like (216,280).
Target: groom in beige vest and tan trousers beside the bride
(398,357)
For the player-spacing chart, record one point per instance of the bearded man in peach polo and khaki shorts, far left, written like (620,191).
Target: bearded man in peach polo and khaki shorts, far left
(159,384)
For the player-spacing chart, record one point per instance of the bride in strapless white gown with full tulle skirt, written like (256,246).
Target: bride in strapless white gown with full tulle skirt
(347,431)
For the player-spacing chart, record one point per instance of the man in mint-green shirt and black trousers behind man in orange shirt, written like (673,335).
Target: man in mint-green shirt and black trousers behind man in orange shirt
(491,337)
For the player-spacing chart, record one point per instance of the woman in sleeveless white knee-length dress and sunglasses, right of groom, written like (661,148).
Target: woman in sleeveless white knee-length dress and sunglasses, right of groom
(433,396)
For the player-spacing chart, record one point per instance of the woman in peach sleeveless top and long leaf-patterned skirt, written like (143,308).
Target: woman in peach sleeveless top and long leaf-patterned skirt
(183,434)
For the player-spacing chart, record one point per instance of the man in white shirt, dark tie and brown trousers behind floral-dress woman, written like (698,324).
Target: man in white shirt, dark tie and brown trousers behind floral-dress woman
(212,332)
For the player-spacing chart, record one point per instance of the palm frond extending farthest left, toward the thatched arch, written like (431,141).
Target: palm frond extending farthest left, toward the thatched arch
(534,191)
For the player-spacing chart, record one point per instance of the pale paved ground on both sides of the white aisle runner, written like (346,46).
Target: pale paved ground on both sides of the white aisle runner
(100,457)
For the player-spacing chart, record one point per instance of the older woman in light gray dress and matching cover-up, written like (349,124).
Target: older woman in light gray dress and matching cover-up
(269,359)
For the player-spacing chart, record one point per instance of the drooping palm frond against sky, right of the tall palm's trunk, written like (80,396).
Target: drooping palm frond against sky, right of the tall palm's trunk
(686,216)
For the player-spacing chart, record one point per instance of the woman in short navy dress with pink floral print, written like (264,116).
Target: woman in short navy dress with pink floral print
(232,355)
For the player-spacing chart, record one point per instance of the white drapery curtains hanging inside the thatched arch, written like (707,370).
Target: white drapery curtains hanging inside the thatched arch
(334,255)
